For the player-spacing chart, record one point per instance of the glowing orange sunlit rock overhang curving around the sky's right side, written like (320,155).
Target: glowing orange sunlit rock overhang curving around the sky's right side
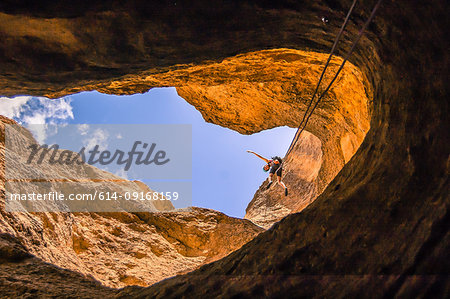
(260,90)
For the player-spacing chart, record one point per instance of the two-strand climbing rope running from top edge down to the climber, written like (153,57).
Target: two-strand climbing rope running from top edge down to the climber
(347,56)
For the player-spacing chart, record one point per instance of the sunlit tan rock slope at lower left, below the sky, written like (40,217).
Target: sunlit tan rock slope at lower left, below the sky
(116,248)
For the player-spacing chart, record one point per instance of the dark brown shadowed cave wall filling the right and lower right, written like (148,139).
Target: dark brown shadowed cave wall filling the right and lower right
(380,229)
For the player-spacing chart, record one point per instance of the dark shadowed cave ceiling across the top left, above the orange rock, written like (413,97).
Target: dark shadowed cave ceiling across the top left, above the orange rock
(113,38)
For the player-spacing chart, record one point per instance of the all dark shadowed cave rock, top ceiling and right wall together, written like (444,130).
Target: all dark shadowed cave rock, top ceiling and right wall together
(380,229)
